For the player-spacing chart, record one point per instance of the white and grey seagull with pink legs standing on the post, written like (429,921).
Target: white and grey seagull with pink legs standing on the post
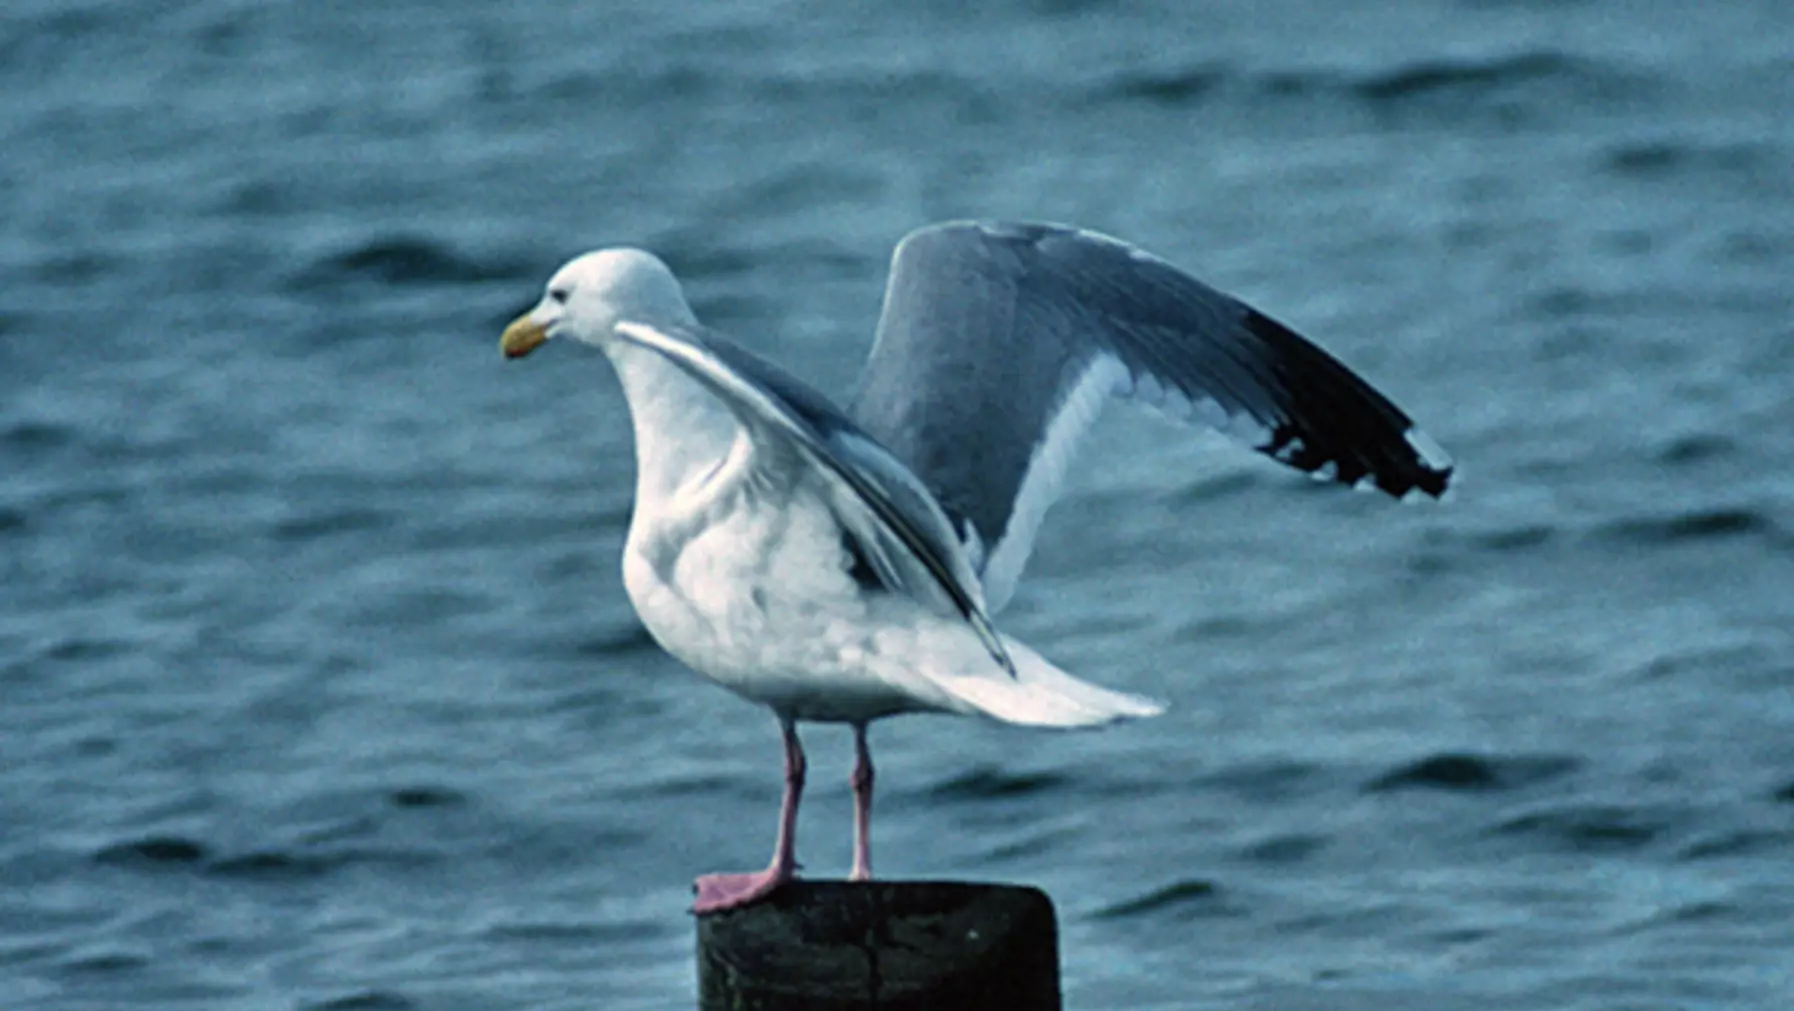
(844,566)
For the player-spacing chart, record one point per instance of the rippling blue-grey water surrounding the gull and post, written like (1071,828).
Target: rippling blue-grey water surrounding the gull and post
(318,687)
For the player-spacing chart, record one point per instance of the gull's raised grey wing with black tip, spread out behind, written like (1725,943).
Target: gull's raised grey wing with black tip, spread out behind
(1000,343)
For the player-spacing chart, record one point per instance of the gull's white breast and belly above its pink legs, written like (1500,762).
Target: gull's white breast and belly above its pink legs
(753,589)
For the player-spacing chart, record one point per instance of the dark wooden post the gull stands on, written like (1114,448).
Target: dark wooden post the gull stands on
(885,947)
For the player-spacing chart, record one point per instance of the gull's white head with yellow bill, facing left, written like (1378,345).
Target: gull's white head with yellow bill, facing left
(589,297)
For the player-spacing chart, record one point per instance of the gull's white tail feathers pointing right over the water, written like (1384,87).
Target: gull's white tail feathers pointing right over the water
(1041,695)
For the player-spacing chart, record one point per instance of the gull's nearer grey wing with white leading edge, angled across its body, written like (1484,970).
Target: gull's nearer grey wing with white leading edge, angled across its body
(889,517)
